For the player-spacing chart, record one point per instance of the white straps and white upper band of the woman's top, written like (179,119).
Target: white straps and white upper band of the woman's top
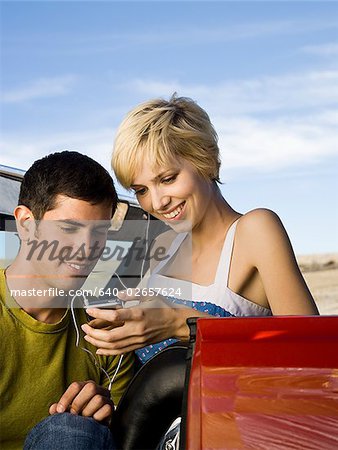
(218,292)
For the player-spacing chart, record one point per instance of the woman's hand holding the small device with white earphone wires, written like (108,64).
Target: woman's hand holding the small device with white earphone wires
(153,320)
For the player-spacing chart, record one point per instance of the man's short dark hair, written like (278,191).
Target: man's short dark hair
(65,173)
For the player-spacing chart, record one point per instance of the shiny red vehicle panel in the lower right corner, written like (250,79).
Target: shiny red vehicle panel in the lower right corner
(264,383)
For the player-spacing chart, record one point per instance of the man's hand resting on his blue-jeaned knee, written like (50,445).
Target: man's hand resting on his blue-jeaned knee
(87,399)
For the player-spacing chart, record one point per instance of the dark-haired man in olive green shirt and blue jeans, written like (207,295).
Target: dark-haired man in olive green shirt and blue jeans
(66,202)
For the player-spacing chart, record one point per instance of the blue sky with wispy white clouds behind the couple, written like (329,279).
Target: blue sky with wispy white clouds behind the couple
(266,72)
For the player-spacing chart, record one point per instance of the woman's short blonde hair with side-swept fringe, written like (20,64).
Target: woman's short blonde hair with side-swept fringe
(159,131)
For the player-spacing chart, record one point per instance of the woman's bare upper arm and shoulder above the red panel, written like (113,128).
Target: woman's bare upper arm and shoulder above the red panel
(268,249)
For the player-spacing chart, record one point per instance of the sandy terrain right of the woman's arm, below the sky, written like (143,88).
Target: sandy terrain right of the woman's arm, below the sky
(321,275)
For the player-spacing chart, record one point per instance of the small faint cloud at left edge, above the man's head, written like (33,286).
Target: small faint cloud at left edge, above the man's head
(41,88)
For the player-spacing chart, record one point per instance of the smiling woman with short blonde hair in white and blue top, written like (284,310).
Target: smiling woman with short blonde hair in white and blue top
(222,262)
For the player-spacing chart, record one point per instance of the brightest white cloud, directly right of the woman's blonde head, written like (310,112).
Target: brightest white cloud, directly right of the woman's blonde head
(264,145)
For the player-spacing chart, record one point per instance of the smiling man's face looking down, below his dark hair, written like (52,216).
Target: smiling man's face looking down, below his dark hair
(68,242)
